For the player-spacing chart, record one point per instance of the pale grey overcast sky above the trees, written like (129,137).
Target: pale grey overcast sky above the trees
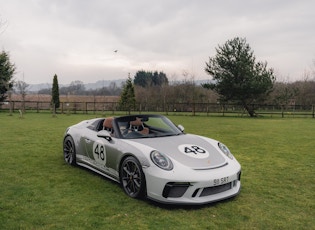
(76,39)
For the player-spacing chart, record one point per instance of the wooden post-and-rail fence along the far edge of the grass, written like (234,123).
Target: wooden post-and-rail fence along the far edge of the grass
(167,108)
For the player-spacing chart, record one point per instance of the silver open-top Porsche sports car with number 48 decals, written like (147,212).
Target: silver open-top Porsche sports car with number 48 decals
(151,157)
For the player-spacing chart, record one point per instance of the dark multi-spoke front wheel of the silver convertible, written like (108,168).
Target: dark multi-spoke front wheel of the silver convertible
(132,178)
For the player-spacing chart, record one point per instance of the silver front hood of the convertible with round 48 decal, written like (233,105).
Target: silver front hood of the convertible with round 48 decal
(190,150)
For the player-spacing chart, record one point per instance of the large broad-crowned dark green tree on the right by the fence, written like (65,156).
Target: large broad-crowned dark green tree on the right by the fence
(238,77)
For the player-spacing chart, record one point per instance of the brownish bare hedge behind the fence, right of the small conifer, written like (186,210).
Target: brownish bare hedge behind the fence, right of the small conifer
(283,94)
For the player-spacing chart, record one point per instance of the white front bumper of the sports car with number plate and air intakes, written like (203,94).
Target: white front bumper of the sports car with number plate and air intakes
(193,186)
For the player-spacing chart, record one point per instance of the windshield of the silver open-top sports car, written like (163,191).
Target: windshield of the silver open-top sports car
(144,126)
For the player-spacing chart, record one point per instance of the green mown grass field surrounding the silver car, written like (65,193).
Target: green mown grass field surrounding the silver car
(39,191)
